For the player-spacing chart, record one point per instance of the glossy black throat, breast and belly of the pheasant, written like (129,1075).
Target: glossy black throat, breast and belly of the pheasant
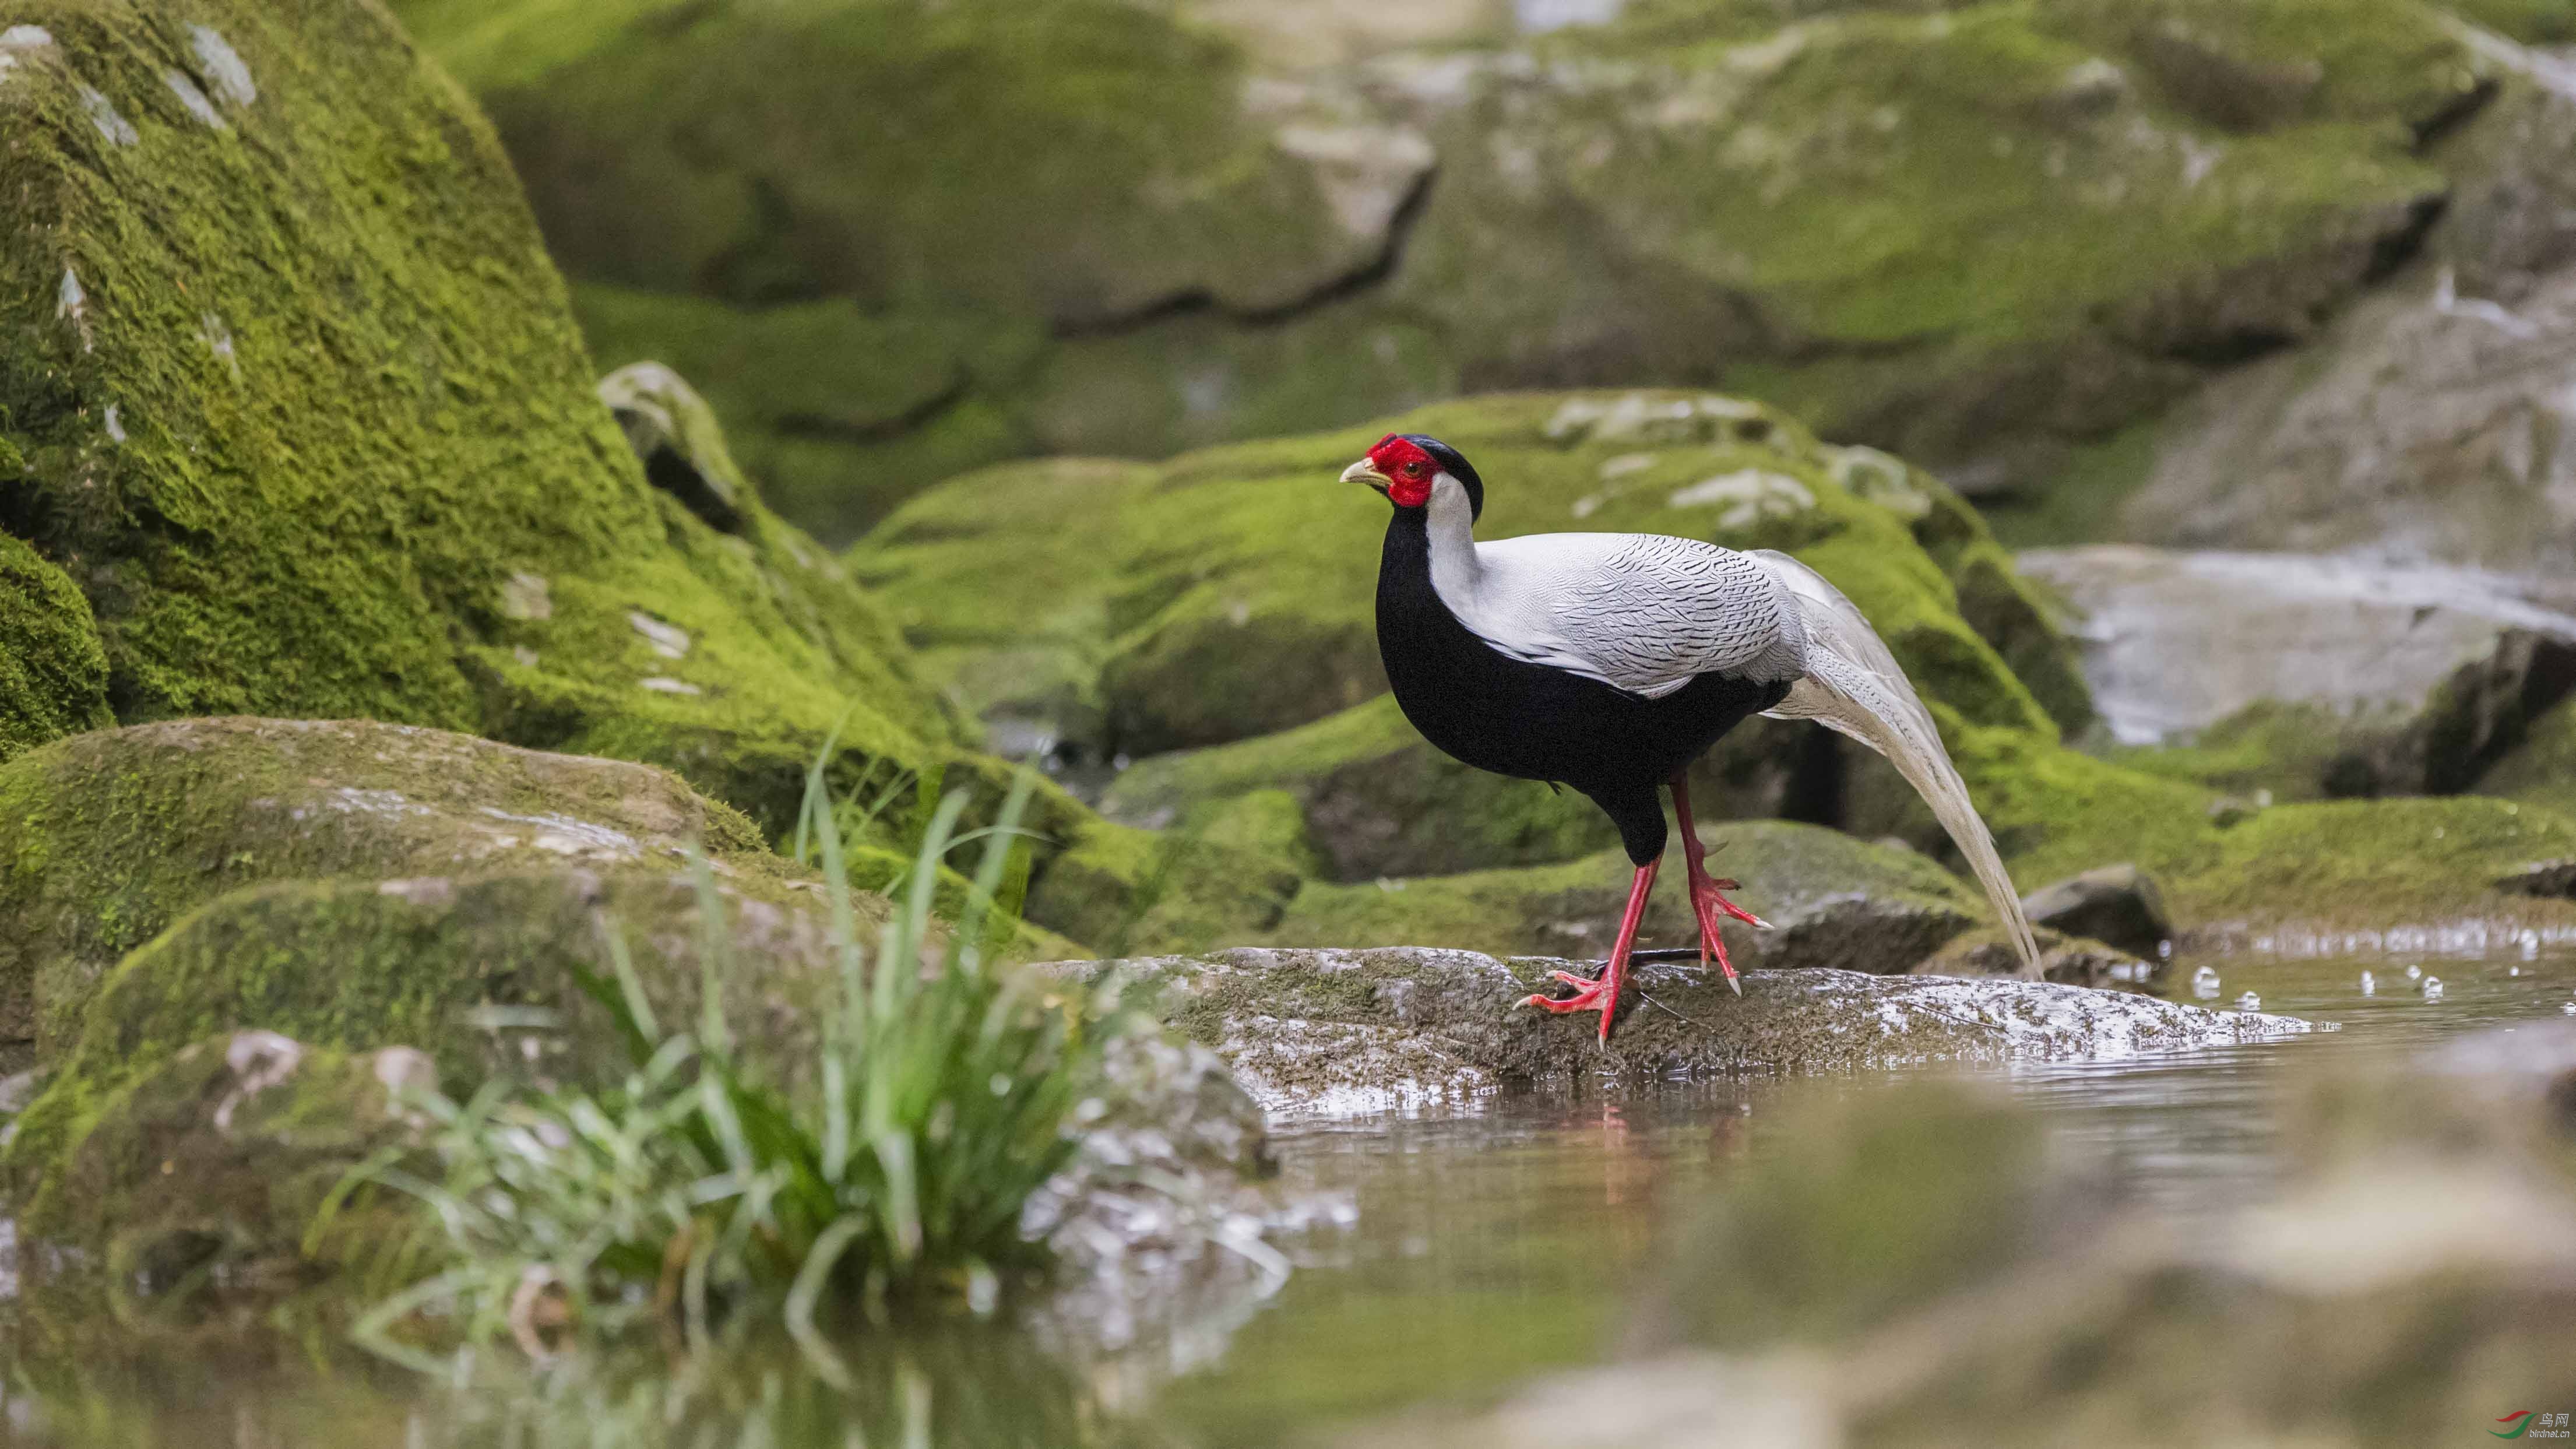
(1539,723)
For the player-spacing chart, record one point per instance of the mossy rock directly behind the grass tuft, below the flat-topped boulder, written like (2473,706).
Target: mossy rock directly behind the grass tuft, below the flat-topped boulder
(478,971)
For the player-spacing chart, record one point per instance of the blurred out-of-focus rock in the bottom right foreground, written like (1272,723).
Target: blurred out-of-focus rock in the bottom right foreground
(1931,1270)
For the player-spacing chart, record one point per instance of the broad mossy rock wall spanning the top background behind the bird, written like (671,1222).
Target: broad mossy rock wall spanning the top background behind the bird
(1977,233)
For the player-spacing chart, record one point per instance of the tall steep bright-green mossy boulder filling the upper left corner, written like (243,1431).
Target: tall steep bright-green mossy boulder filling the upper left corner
(298,404)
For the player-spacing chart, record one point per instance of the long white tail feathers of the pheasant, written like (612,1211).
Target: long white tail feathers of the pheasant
(1856,687)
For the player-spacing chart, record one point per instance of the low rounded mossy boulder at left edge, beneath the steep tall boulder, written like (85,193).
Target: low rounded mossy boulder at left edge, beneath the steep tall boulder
(112,839)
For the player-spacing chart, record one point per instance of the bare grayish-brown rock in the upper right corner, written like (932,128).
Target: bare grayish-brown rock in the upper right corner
(2428,422)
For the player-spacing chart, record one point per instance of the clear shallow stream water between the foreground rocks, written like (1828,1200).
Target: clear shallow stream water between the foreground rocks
(1485,1244)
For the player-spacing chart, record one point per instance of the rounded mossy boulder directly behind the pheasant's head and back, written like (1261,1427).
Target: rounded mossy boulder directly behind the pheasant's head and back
(1243,579)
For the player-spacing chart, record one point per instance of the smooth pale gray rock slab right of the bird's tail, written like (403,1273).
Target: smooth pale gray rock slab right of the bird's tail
(2418,677)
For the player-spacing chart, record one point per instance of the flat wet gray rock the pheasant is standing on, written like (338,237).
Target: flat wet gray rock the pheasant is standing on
(1341,1033)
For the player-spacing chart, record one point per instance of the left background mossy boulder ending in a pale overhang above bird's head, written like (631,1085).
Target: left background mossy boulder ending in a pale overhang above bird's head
(885,210)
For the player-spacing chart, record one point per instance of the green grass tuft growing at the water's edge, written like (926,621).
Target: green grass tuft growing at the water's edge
(707,1192)
